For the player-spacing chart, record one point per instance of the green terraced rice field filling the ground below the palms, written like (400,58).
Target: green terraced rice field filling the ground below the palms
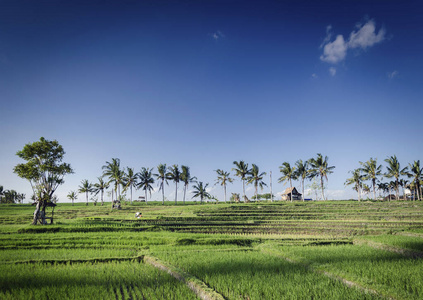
(321,250)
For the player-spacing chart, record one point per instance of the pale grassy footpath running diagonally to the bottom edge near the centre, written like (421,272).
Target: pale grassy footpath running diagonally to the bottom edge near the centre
(197,286)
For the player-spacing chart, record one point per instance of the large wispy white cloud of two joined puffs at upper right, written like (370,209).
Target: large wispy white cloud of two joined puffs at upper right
(364,37)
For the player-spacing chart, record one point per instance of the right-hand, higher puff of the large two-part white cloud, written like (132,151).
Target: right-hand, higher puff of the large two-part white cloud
(366,36)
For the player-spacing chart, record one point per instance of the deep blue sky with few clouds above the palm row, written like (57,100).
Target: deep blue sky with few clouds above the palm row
(204,83)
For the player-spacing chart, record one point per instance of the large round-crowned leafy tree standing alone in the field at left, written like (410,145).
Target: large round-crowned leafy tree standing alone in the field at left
(44,170)
